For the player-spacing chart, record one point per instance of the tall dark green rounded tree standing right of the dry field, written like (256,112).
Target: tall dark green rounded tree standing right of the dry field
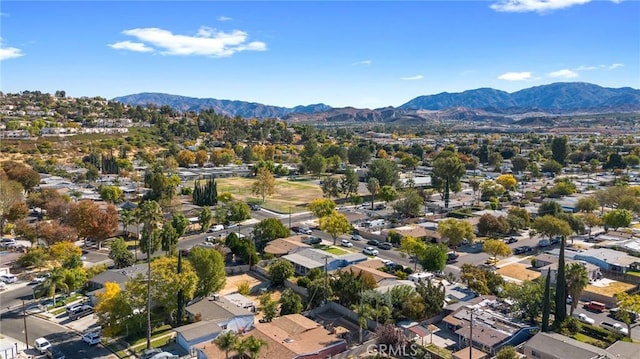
(447,172)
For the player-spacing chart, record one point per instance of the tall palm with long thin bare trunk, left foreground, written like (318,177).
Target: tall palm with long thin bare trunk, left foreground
(150,213)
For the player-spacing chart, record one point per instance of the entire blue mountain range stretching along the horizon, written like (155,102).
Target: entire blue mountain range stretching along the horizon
(479,104)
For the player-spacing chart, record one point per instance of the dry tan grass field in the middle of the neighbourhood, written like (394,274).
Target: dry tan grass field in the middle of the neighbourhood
(290,195)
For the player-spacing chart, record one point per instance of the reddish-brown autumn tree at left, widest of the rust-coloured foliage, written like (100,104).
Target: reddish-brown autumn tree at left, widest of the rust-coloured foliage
(92,222)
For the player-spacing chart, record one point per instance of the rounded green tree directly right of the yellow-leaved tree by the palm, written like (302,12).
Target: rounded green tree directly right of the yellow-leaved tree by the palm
(208,265)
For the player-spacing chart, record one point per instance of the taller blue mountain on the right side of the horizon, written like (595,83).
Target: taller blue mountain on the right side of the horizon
(559,97)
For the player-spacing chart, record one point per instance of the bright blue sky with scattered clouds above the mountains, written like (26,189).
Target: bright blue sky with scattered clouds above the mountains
(342,53)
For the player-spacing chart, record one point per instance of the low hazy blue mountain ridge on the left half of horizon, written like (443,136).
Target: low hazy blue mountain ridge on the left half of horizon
(227,107)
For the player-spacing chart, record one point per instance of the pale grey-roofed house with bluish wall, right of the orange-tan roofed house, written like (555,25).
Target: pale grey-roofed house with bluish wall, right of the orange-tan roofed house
(309,258)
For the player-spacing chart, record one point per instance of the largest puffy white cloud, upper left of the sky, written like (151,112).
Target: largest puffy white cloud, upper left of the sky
(206,42)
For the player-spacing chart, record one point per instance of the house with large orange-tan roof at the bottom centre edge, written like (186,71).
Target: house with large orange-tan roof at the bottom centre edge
(290,336)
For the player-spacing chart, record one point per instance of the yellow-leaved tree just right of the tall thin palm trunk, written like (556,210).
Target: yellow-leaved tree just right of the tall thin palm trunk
(166,282)
